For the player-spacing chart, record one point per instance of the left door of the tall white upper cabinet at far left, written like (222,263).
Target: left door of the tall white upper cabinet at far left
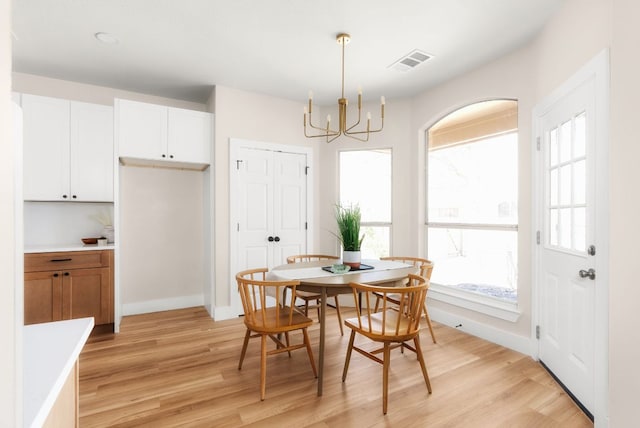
(46,148)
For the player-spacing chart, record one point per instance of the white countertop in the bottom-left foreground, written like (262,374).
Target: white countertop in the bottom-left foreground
(50,351)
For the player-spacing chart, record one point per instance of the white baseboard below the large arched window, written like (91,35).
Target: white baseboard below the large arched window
(523,344)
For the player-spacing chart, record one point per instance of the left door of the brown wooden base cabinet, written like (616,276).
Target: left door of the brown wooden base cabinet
(42,297)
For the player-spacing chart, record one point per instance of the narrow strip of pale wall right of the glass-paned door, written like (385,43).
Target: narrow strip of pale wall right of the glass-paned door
(624,294)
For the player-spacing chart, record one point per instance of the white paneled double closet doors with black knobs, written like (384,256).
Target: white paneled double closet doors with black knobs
(269,199)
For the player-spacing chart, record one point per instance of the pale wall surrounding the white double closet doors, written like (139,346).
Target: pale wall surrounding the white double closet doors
(256,117)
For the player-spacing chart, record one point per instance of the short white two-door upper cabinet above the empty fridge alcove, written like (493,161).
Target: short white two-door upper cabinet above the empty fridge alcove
(153,134)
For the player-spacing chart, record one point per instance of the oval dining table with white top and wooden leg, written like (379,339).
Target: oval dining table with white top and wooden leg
(314,278)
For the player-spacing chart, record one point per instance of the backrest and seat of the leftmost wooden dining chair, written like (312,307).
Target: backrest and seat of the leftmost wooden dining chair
(263,301)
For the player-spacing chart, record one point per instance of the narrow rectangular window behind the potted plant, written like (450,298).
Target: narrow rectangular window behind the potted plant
(365,179)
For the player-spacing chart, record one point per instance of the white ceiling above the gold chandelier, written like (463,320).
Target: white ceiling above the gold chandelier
(181,49)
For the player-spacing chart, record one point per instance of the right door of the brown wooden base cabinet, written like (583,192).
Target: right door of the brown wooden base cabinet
(85,293)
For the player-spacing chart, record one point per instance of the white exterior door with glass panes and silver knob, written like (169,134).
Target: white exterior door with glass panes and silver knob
(572,243)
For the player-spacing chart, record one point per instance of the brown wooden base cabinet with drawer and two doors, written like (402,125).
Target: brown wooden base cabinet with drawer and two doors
(68,285)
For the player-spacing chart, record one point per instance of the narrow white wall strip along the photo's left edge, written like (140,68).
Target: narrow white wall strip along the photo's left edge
(10,329)
